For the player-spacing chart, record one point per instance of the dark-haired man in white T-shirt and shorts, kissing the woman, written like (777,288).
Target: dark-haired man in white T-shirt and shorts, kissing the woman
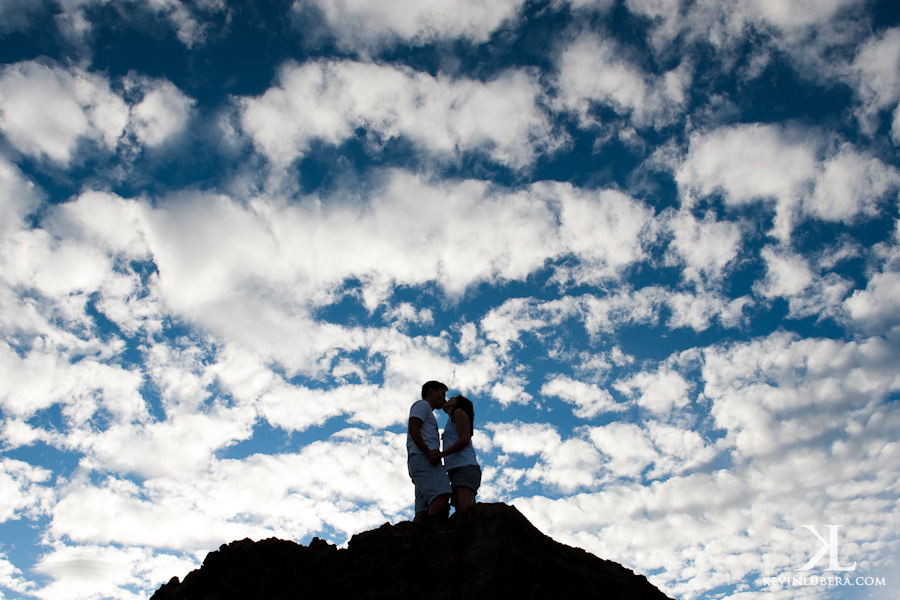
(423,453)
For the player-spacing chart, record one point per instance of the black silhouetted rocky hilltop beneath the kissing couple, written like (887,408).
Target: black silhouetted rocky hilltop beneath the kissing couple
(486,551)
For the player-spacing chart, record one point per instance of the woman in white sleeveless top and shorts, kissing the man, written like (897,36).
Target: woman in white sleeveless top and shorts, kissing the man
(458,452)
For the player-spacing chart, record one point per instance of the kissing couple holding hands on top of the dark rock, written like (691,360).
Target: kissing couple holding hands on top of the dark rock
(459,475)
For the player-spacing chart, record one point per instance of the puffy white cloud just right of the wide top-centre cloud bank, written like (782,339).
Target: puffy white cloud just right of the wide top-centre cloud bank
(594,70)
